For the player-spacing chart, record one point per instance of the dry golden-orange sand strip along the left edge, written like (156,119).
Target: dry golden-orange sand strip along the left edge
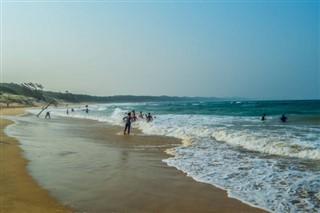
(19,192)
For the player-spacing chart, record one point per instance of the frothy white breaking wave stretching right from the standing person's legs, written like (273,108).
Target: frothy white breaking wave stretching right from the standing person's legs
(260,140)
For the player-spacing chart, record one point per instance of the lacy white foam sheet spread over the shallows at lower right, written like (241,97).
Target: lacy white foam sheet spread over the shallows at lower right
(265,183)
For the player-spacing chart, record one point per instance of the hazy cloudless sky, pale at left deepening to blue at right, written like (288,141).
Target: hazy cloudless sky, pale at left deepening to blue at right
(262,50)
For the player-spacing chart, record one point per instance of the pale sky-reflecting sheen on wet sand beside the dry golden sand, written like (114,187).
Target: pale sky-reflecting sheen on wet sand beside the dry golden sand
(62,158)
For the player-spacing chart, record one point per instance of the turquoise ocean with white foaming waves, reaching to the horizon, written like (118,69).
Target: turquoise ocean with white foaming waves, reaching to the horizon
(267,164)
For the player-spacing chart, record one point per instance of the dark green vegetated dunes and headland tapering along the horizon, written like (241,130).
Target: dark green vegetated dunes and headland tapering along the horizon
(32,93)
